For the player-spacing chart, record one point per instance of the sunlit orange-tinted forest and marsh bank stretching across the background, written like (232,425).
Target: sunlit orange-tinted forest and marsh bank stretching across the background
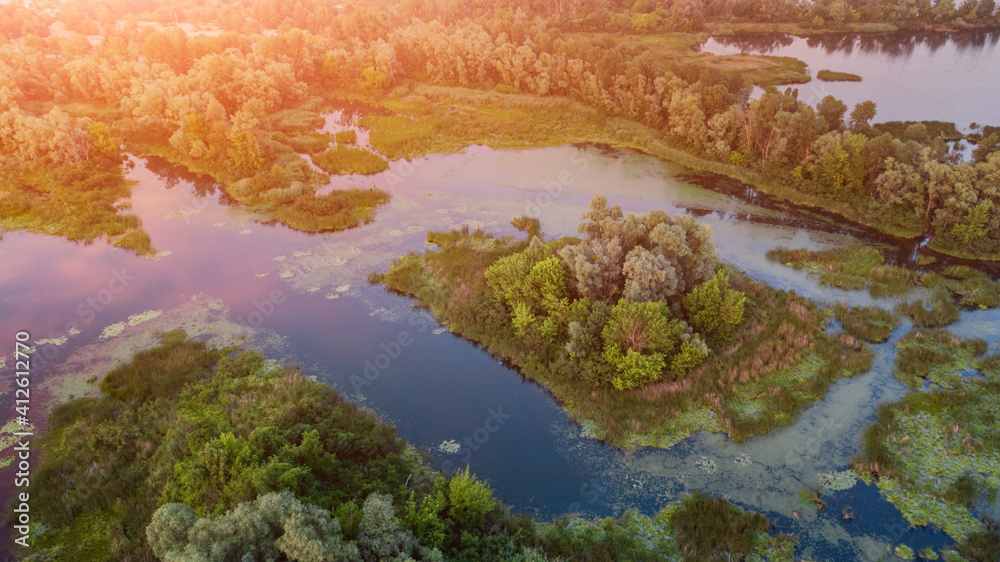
(243,106)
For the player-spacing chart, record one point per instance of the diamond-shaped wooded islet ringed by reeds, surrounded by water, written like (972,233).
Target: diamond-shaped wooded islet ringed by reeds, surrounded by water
(636,319)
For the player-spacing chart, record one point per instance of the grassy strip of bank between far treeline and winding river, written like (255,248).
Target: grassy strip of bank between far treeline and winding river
(479,118)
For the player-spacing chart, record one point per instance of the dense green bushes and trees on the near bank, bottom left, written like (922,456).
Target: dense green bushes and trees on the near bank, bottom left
(192,453)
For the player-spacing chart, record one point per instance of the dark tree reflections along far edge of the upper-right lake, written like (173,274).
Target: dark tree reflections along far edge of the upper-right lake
(900,44)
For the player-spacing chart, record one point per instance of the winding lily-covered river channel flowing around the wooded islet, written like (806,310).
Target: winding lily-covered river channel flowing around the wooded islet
(305,299)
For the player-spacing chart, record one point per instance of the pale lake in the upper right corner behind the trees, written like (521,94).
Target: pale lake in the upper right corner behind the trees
(910,76)
